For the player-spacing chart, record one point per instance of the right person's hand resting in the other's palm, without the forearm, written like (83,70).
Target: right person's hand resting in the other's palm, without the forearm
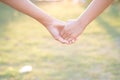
(72,30)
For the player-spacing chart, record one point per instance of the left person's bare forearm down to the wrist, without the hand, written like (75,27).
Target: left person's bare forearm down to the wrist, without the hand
(25,6)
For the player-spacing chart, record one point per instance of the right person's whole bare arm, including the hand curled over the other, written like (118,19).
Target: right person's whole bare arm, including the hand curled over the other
(75,27)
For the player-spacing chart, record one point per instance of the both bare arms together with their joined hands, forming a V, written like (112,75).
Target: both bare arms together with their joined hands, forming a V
(68,32)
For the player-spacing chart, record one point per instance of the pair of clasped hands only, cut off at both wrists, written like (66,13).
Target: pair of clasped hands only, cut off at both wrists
(65,32)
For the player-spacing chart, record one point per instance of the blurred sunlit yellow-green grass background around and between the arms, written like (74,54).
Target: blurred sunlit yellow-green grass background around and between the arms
(24,41)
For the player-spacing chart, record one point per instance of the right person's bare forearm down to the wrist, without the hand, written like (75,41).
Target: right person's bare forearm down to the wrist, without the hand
(95,8)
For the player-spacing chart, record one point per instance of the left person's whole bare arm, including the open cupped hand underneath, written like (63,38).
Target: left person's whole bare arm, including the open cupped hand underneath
(53,25)
